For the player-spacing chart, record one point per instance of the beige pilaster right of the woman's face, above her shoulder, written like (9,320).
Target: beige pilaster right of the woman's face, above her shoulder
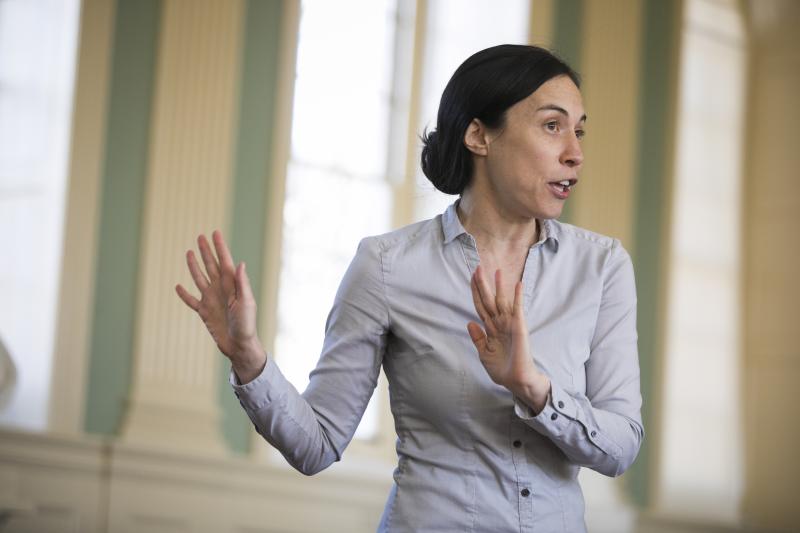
(610,63)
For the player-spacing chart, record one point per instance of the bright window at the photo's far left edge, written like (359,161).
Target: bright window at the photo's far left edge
(38,40)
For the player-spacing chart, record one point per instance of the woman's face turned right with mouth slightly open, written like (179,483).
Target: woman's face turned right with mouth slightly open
(538,151)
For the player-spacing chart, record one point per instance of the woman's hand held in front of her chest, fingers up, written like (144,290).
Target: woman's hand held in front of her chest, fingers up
(503,348)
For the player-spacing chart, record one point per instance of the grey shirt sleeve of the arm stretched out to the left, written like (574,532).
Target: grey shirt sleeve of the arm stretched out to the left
(312,429)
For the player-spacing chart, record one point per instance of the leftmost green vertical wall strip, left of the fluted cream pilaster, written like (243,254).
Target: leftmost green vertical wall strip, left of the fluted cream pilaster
(136,29)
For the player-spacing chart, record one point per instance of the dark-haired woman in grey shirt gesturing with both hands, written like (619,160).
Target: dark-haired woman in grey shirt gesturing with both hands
(493,420)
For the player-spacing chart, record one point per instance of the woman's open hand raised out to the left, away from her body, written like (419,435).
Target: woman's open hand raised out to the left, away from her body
(226,306)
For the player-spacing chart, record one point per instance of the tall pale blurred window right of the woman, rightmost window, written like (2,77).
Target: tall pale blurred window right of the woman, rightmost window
(701,465)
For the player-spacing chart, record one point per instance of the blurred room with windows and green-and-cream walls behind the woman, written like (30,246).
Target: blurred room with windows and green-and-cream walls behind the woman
(128,127)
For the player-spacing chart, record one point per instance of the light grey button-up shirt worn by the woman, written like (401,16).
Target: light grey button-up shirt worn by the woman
(471,457)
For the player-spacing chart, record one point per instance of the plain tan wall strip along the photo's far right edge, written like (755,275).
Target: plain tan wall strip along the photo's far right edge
(771,361)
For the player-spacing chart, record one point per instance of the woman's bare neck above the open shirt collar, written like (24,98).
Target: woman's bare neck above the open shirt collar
(492,226)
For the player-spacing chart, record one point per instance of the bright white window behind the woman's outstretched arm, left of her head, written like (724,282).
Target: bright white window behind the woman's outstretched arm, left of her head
(337,191)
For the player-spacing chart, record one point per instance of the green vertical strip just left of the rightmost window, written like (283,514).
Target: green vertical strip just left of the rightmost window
(656,132)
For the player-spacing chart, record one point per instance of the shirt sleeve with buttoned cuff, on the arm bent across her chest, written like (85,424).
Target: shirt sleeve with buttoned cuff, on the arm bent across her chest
(602,429)
